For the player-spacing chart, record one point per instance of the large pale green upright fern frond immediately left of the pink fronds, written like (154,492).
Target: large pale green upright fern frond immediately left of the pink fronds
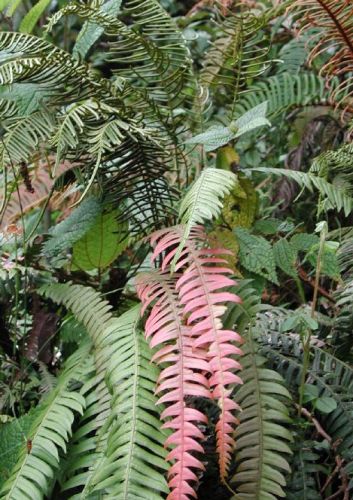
(135,450)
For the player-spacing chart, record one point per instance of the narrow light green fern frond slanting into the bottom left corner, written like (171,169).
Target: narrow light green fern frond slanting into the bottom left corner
(34,473)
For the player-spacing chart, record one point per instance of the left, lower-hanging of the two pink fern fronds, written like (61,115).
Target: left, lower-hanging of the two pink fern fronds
(185,375)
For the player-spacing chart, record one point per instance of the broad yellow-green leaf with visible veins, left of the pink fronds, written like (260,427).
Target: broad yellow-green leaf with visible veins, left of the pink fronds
(101,244)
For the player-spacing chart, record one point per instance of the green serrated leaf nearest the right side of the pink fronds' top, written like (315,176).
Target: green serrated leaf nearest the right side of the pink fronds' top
(256,254)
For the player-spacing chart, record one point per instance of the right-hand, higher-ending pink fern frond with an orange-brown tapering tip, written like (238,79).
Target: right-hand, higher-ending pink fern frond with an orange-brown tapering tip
(202,297)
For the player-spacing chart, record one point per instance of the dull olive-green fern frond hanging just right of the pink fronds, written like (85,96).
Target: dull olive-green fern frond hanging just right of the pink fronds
(262,435)
